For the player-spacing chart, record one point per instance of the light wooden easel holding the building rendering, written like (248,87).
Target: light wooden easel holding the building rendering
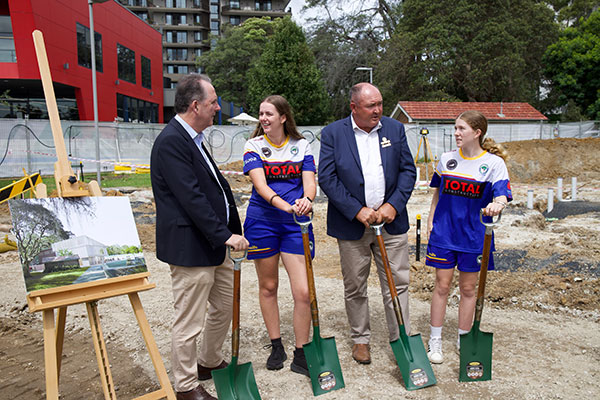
(46,300)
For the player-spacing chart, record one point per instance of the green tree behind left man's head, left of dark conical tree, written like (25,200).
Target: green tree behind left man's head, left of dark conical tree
(237,49)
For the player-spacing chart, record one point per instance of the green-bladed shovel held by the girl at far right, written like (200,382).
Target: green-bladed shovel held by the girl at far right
(476,346)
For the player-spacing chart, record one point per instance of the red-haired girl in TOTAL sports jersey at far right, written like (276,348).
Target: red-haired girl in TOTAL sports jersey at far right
(466,180)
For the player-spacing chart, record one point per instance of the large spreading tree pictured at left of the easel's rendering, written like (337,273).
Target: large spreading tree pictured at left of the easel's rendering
(35,229)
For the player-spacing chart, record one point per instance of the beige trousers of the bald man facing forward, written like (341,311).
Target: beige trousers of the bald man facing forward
(355,258)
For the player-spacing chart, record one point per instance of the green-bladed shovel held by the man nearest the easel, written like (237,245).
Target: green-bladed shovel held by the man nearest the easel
(236,381)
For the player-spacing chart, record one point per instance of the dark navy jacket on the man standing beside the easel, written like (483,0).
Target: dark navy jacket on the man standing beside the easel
(191,215)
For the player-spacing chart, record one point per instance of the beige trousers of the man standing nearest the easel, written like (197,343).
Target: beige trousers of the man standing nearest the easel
(203,305)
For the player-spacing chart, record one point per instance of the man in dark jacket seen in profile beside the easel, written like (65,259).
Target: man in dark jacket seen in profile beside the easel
(196,218)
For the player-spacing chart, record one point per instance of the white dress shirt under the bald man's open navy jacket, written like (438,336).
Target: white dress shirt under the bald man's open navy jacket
(370,161)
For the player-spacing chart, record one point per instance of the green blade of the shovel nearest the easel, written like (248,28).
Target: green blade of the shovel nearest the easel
(236,382)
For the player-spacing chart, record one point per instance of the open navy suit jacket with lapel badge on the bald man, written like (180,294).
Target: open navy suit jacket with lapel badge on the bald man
(341,177)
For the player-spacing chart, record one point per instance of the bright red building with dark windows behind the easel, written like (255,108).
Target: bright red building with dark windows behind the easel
(128,58)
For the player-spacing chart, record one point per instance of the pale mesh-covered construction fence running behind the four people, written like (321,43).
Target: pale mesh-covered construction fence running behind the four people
(29,144)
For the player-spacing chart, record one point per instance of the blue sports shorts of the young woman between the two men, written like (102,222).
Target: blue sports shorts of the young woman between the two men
(268,238)
